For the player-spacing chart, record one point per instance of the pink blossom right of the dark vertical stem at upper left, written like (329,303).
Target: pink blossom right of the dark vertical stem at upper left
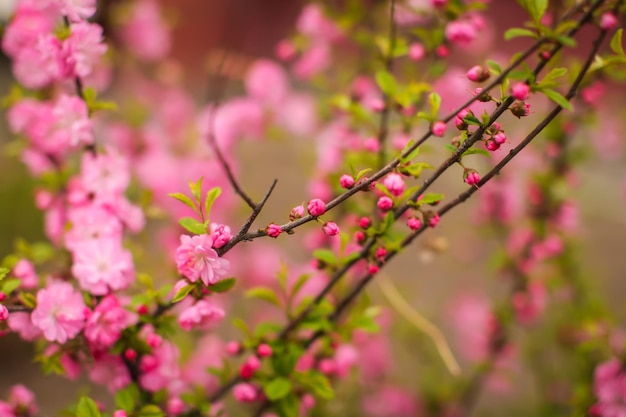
(83,49)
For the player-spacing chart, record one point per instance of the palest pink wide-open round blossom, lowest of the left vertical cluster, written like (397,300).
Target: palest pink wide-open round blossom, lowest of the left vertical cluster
(103,265)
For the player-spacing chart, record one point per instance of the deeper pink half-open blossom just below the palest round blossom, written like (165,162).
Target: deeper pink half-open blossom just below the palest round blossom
(104,326)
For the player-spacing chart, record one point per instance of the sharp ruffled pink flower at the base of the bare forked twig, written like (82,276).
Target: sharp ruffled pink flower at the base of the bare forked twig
(196,259)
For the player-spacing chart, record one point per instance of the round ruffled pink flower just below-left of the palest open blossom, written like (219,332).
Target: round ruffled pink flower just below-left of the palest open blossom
(60,312)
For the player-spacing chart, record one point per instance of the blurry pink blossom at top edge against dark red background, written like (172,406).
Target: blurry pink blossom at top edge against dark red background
(145,32)
